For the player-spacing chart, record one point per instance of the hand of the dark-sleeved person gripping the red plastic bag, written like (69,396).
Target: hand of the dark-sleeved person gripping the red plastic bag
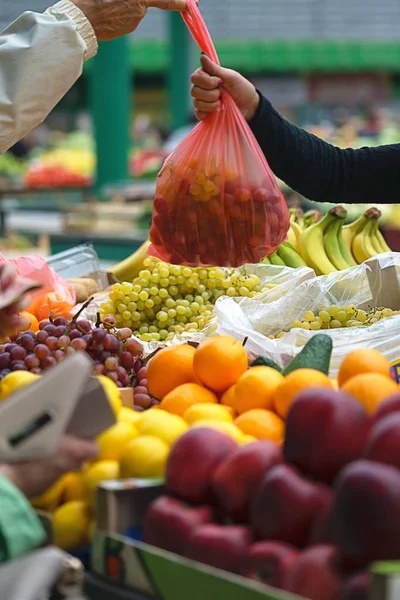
(206,90)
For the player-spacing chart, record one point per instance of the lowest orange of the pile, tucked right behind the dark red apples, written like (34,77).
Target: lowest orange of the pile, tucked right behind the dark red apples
(262,424)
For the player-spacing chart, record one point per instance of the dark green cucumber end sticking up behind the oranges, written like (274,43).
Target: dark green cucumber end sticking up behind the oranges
(316,354)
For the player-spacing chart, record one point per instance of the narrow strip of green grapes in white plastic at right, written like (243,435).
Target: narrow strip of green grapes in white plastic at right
(337,317)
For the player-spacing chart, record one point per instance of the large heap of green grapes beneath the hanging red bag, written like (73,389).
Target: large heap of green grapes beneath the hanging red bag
(166,300)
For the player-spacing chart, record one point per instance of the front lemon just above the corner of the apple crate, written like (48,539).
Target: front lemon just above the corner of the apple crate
(144,457)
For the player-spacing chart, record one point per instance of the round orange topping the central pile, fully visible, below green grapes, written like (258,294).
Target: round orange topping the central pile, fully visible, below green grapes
(219,362)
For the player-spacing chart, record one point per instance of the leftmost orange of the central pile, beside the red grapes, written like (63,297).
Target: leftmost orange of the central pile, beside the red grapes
(170,368)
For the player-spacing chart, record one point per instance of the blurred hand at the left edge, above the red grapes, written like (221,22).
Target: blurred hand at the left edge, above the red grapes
(10,321)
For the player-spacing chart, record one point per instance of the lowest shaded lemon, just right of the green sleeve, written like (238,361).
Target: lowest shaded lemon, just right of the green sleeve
(71,525)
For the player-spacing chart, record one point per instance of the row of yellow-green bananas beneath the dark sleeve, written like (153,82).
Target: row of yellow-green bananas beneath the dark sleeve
(326,244)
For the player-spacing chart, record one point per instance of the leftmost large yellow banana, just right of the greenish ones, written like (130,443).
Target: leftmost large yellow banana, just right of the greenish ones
(311,244)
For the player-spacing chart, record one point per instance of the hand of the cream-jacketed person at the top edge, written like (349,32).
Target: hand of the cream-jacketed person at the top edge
(113,18)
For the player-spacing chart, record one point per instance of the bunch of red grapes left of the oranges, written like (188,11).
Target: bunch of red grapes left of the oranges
(113,351)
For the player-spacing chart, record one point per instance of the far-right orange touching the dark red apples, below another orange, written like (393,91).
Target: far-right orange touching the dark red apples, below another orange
(370,389)
